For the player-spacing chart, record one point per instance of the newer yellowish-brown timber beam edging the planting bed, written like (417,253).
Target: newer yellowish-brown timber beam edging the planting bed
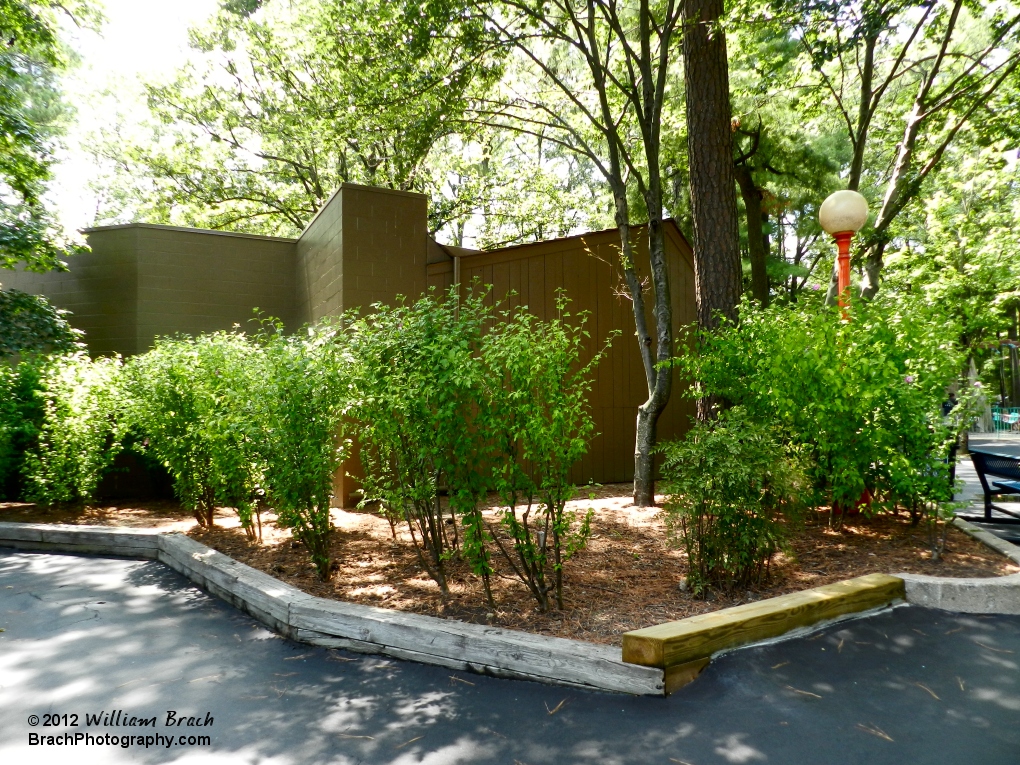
(682,649)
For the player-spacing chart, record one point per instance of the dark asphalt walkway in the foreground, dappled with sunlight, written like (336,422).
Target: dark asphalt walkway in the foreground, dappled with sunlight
(90,635)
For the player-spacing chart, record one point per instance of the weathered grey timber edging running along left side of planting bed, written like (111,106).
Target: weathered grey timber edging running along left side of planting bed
(286,609)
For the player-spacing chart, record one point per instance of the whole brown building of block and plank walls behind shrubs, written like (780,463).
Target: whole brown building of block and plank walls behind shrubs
(367,246)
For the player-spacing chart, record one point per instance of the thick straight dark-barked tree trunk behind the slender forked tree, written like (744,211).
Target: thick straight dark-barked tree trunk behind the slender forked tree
(710,146)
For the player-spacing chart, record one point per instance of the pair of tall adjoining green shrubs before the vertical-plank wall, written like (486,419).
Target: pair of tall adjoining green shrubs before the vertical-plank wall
(452,397)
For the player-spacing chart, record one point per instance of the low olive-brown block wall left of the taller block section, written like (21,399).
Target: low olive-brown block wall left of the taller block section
(143,281)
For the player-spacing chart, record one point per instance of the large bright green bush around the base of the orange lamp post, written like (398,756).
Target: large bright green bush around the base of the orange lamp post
(862,396)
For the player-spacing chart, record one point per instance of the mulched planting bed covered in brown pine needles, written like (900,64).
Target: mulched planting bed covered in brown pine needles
(627,578)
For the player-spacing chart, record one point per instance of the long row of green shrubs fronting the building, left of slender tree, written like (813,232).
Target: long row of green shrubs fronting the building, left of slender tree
(449,402)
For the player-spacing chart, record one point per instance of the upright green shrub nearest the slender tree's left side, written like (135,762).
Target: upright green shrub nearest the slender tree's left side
(541,425)
